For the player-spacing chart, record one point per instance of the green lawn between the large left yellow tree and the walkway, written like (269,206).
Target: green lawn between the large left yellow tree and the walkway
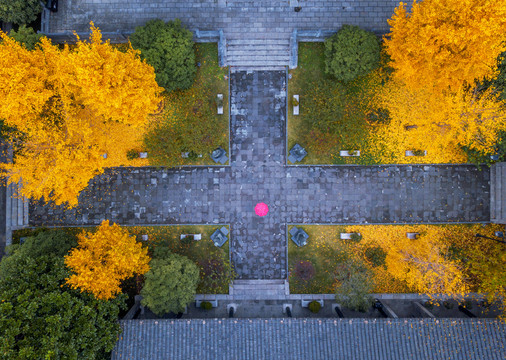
(189,122)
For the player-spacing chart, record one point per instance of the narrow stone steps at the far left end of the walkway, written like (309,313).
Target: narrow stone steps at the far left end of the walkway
(16,211)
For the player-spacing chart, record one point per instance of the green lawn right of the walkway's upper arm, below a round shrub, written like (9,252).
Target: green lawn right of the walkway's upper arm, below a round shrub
(333,114)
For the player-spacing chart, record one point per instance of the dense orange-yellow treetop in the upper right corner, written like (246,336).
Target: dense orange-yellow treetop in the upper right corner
(446,44)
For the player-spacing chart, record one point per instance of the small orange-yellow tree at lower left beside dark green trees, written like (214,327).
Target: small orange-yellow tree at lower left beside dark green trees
(103,259)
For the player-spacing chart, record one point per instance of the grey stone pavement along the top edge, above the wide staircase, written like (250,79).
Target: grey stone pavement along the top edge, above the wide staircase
(238,18)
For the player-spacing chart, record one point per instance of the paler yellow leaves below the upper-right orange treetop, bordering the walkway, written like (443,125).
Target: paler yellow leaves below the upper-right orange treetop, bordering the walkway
(440,123)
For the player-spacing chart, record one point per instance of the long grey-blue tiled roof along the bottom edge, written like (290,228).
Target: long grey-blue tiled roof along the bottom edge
(312,339)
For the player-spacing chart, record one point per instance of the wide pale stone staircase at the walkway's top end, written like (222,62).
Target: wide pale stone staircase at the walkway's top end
(258,53)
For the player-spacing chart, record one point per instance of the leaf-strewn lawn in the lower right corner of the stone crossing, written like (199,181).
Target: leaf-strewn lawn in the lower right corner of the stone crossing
(314,267)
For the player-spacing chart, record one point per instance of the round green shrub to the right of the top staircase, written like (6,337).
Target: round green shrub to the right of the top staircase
(351,52)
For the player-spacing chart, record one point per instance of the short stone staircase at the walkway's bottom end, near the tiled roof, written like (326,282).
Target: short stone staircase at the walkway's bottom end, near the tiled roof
(259,289)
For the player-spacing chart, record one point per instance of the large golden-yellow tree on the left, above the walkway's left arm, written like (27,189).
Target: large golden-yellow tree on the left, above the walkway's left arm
(78,110)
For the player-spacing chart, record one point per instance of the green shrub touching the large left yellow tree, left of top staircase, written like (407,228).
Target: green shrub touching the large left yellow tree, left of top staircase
(168,47)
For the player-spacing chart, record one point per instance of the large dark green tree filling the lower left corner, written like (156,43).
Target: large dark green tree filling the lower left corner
(40,317)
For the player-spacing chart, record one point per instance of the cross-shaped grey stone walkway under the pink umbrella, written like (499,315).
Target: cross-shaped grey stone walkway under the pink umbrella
(258,173)
